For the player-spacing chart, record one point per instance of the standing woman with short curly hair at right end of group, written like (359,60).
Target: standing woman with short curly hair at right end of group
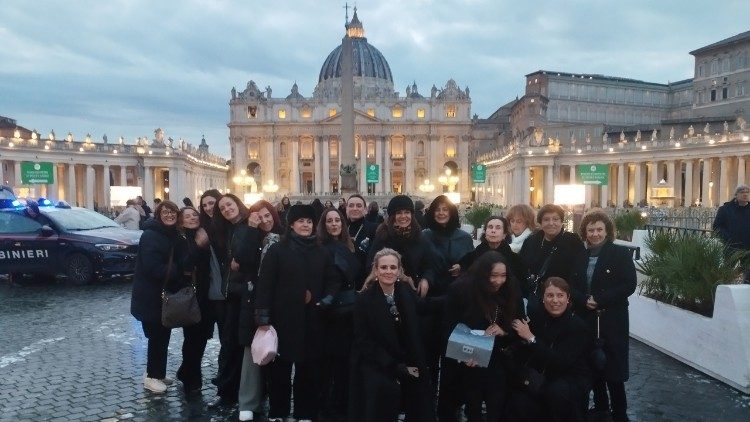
(604,278)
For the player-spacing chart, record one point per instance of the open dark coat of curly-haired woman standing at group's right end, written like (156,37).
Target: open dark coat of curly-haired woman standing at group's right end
(613,281)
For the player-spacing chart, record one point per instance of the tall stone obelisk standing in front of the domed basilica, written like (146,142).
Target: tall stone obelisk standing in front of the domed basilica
(348,166)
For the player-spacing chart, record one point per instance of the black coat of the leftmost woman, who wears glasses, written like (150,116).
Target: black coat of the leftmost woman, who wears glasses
(152,268)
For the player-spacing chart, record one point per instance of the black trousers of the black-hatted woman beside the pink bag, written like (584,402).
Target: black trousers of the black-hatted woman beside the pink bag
(305,387)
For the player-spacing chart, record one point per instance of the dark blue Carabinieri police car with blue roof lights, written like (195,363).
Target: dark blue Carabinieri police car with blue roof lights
(77,243)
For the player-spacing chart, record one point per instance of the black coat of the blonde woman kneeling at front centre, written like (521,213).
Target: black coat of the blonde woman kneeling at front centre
(380,351)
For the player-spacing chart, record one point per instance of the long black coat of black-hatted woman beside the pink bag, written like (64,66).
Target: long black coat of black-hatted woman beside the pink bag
(291,268)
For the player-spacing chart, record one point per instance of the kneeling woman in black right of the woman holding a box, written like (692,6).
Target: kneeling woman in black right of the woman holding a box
(557,343)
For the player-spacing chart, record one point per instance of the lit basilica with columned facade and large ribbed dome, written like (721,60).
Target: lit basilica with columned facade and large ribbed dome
(293,142)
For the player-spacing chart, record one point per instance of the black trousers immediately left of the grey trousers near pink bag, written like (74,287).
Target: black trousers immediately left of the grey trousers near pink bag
(231,352)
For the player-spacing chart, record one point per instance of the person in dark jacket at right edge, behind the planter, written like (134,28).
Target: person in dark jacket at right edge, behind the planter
(732,223)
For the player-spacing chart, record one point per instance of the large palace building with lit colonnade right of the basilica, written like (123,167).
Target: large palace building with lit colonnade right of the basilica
(679,144)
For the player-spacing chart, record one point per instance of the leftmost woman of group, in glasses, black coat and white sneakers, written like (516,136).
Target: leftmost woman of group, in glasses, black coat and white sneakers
(162,259)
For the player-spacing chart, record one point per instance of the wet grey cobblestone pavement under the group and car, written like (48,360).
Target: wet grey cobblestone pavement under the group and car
(74,353)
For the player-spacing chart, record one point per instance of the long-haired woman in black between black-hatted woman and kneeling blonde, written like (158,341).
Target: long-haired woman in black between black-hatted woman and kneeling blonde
(337,321)
